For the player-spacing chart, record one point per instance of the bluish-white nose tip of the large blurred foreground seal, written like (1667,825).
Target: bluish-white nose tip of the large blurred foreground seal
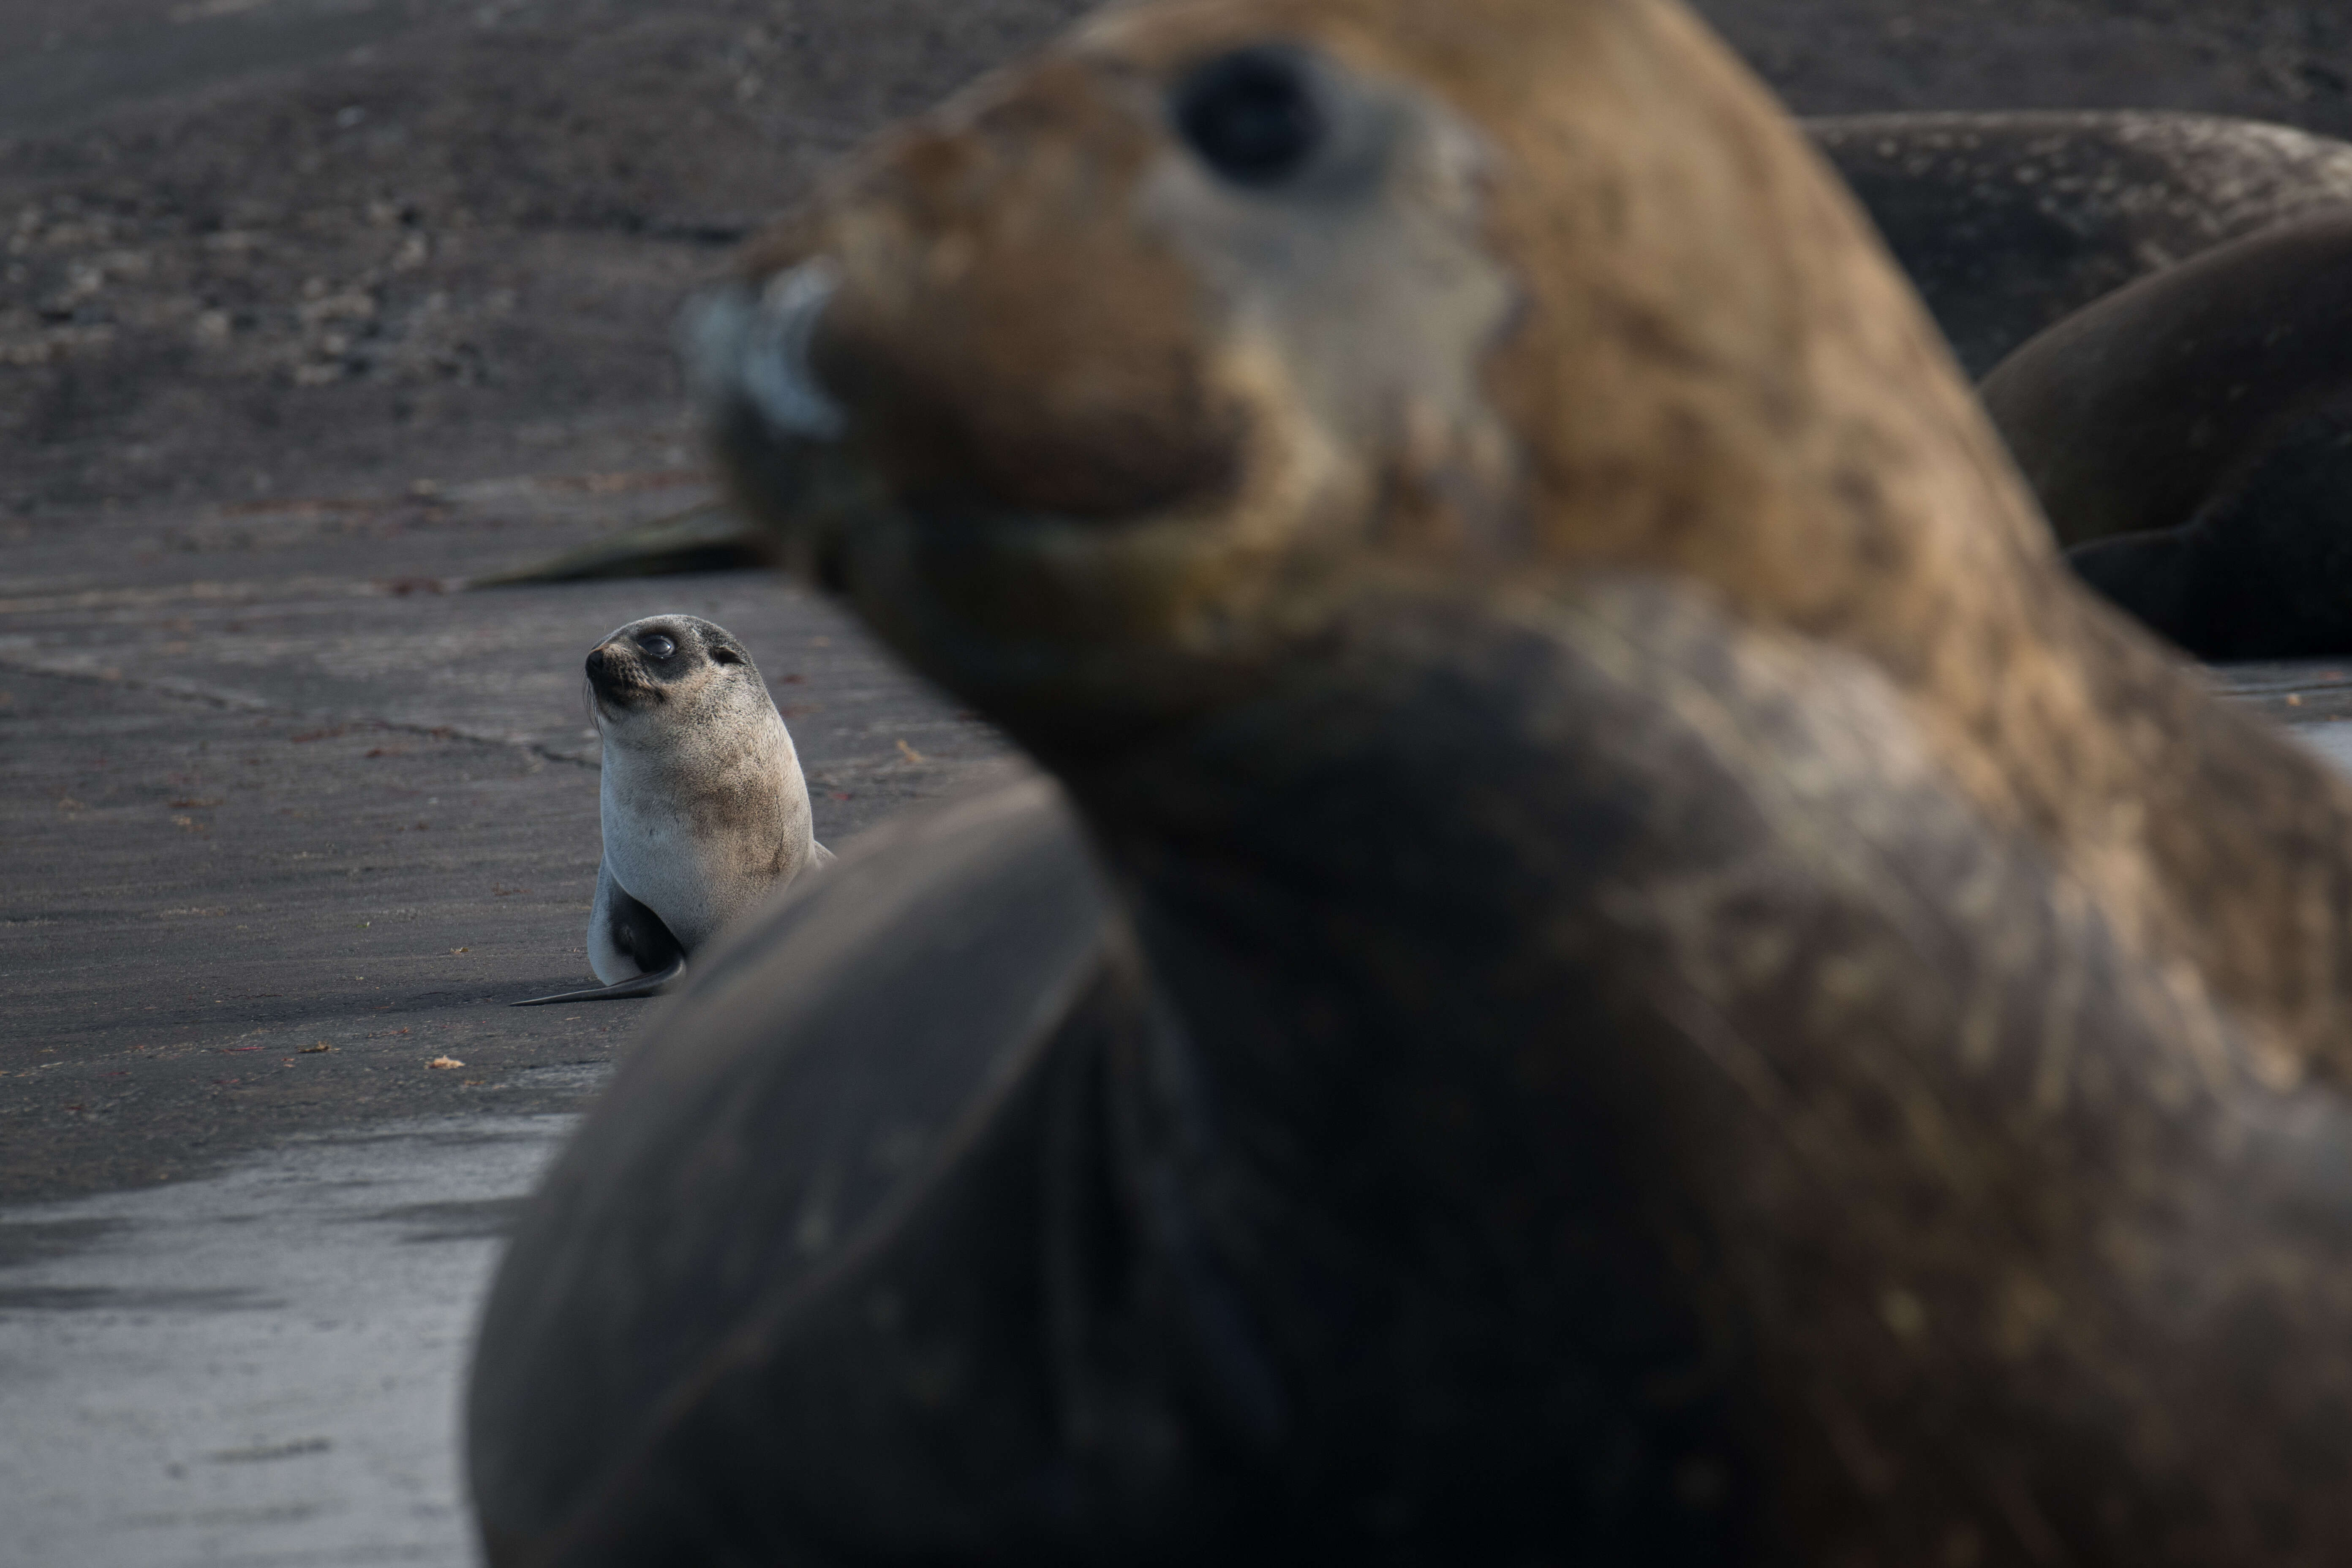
(754,344)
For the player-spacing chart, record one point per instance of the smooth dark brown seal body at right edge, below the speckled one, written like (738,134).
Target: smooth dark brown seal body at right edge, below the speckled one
(2191,441)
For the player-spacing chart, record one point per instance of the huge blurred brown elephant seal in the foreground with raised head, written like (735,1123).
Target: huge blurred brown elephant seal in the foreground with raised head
(1624,972)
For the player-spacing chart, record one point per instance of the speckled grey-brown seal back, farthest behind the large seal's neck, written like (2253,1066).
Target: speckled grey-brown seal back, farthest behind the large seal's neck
(2012,222)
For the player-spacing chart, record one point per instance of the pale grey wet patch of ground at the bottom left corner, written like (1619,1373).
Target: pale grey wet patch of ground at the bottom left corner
(260,1367)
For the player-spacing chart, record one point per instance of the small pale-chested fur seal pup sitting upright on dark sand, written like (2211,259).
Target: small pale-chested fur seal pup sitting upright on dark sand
(702,800)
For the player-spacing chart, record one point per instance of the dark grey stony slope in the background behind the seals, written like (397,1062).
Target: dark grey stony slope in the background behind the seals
(281,248)
